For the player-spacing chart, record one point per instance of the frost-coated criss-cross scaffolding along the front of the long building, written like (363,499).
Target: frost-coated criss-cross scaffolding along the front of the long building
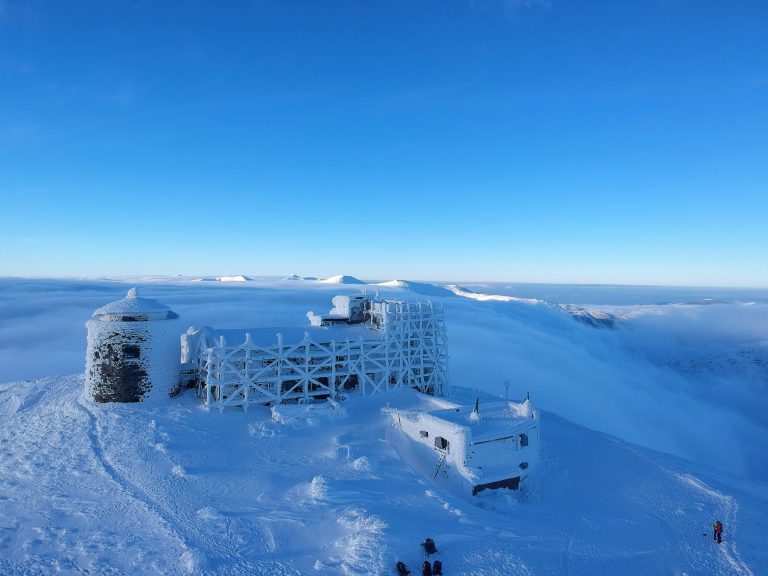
(406,347)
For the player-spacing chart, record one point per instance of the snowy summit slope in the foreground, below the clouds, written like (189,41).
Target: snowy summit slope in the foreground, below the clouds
(176,489)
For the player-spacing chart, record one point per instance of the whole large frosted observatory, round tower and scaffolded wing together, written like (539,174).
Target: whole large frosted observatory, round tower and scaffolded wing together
(136,353)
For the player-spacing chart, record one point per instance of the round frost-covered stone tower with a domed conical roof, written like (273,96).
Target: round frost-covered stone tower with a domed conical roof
(133,351)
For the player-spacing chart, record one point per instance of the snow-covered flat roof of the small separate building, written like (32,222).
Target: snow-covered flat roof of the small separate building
(493,420)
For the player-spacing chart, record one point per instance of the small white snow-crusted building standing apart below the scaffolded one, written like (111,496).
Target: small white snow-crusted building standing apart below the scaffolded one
(493,445)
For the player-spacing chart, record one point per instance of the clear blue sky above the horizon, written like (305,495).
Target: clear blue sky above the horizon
(557,141)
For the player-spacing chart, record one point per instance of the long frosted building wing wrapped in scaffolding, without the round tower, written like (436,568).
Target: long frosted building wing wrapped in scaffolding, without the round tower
(367,344)
